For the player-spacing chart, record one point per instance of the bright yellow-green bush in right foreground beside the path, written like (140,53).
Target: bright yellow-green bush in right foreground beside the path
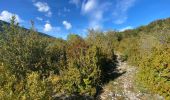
(154,71)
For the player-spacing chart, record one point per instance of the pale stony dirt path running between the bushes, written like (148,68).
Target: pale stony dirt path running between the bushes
(123,87)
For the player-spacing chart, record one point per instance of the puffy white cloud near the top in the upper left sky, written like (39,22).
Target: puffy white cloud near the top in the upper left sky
(43,7)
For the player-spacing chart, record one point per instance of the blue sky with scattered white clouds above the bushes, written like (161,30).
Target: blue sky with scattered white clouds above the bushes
(59,18)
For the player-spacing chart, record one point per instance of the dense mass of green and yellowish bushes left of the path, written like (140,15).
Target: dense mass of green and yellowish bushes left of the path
(38,67)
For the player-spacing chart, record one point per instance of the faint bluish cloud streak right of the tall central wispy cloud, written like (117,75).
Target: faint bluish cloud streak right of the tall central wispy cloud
(121,9)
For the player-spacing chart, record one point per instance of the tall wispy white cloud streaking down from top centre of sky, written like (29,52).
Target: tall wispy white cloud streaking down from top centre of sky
(94,10)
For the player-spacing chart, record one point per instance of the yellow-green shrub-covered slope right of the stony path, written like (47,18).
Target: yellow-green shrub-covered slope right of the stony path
(149,50)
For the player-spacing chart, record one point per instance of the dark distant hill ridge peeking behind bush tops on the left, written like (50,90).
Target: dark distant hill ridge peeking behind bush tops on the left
(6,23)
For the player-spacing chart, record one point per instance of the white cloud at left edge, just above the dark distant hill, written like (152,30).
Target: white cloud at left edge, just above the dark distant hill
(6,16)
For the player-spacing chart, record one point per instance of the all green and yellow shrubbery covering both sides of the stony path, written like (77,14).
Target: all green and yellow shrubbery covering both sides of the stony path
(33,66)
